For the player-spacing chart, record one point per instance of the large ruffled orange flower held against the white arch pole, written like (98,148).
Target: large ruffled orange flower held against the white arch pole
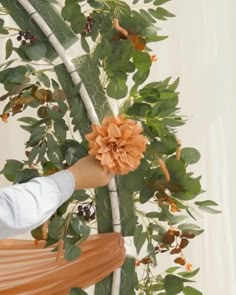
(117,144)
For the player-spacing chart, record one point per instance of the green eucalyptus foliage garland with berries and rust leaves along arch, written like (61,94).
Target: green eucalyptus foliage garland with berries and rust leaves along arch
(115,37)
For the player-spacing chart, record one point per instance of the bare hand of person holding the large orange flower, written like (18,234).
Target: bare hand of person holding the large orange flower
(88,173)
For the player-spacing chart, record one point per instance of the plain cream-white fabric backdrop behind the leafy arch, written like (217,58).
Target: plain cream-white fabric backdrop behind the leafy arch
(200,51)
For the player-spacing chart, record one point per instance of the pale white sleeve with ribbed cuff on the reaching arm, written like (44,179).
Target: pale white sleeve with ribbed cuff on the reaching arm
(25,206)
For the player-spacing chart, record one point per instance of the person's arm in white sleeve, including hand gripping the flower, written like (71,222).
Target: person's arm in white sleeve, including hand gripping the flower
(25,206)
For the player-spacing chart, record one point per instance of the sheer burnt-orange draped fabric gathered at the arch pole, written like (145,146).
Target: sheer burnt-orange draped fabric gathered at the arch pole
(32,270)
